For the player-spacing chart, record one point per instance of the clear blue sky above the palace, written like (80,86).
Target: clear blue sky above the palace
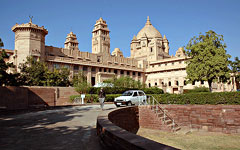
(179,20)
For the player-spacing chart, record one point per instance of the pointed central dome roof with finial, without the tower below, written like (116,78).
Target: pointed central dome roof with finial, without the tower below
(149,31)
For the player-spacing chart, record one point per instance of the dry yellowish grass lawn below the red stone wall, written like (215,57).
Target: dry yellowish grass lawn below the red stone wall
(194,140)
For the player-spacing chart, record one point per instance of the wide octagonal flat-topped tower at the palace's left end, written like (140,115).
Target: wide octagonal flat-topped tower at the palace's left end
(29,41)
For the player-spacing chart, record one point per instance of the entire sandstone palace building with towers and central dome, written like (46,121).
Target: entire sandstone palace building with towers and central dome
(149,62)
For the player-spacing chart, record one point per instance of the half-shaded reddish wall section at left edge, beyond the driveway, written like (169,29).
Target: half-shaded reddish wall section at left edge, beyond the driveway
(13,98)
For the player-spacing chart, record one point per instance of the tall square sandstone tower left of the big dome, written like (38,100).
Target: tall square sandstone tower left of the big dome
(100,37)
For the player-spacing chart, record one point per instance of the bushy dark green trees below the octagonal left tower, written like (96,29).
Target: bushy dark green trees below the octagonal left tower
(36,73)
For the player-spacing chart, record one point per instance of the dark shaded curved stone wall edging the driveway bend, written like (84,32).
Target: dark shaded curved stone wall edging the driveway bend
(114,137)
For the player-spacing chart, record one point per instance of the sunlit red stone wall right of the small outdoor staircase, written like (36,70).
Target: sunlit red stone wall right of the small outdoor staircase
(212,118)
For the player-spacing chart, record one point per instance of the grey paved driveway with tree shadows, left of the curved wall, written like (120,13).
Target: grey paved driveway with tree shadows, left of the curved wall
(59,129)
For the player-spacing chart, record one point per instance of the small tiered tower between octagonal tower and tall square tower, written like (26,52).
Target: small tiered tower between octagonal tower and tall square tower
(71,41)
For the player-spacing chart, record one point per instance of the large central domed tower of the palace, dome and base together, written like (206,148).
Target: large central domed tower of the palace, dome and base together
(149,44)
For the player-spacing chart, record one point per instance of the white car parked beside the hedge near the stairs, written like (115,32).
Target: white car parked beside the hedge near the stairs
(131,97)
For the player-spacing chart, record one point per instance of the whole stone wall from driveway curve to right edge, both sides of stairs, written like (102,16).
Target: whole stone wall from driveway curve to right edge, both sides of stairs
(113,125)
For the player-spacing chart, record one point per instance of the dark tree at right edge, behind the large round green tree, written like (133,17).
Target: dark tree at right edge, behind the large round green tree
(235,69)
